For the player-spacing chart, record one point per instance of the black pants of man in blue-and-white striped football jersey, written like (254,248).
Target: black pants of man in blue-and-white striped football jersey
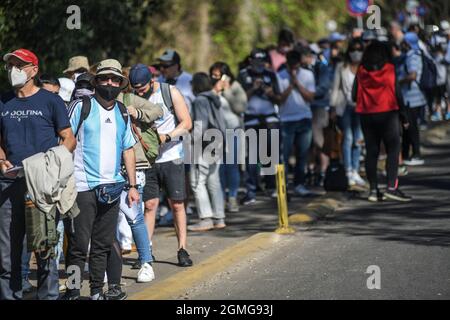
(96,223)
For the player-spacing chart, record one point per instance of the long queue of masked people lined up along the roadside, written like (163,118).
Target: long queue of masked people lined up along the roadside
(109,140)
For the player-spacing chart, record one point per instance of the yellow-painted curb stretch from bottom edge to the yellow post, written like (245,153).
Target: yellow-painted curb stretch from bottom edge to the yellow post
(178,284)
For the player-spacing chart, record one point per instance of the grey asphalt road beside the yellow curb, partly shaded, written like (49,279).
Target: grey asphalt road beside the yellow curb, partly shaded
(410,243)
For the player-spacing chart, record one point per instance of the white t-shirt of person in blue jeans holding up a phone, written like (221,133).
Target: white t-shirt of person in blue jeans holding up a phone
(295,108)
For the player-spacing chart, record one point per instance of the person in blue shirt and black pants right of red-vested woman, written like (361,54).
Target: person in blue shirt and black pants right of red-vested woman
(414,98)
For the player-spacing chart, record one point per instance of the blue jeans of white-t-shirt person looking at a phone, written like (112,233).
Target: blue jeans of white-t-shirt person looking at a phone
(300,134)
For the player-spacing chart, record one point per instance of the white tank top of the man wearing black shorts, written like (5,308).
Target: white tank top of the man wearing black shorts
(172,150)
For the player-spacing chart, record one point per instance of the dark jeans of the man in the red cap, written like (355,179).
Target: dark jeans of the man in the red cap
(12,234)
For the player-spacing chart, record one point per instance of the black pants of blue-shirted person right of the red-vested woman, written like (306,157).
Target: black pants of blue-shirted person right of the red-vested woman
(411,136)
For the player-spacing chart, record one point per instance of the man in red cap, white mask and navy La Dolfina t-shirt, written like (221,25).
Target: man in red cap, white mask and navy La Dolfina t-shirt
(32,120)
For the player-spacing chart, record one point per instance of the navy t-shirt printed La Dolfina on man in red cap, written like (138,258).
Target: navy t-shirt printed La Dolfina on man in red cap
(30,125)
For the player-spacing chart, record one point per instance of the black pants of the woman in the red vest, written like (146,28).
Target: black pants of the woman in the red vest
(381,127)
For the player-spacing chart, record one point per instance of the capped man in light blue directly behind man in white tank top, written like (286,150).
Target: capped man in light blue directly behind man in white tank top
(173,74)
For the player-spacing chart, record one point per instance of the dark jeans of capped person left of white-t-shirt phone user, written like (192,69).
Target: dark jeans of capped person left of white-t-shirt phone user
(252,170)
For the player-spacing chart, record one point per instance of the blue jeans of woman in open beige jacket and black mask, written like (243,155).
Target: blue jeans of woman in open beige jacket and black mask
(351,148)
